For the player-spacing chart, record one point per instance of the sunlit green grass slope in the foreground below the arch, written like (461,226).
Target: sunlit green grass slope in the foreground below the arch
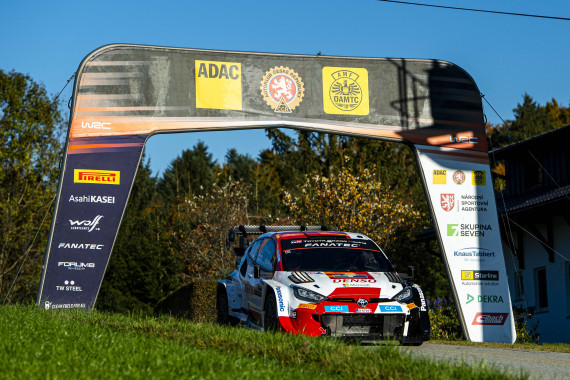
(35,343)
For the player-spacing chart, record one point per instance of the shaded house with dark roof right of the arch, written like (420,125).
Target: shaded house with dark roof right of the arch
(534,213)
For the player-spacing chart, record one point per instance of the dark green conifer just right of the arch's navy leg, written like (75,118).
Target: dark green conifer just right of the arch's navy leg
(142,268)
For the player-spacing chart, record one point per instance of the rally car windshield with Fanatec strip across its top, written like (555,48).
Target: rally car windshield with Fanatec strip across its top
(338,255)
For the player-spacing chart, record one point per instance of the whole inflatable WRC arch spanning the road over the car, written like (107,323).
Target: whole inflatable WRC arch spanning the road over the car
(126,93)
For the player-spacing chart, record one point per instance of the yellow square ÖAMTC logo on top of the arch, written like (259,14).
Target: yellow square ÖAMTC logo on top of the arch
(345,91)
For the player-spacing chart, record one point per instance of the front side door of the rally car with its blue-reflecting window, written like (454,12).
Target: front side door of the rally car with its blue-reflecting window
(265,262)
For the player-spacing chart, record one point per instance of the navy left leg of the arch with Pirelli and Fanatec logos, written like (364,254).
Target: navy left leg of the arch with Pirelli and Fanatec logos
(90,207)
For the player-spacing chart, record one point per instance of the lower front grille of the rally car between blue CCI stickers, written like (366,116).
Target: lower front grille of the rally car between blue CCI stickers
(363,325)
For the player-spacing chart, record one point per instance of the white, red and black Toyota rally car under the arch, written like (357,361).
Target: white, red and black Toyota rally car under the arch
(307,280)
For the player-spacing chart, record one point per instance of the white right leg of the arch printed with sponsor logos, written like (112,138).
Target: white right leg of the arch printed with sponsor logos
(465,214)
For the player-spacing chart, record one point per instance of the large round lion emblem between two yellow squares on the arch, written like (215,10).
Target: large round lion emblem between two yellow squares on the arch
(282,89)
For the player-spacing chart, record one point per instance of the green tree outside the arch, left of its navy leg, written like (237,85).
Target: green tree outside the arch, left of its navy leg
(30,128)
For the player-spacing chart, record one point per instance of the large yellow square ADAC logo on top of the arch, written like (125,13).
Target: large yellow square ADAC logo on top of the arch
(218,85)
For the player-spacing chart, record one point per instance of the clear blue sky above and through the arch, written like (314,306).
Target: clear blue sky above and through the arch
(506,55)
